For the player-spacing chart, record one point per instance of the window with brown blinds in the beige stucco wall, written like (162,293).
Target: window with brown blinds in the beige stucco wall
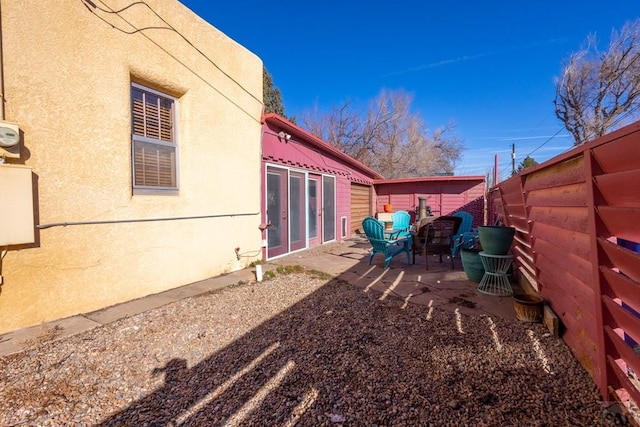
(153,139)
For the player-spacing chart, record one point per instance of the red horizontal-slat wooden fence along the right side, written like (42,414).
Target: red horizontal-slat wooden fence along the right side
(569,213)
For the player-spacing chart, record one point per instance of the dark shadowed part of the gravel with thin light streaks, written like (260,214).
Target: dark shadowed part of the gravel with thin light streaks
(342,356)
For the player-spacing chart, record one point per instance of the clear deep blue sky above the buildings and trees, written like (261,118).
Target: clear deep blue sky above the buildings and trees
(487,66)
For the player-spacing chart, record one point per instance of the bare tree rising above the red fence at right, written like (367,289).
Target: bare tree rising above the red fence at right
(600,91)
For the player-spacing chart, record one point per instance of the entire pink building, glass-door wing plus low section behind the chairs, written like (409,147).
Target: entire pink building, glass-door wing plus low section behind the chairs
(312,193)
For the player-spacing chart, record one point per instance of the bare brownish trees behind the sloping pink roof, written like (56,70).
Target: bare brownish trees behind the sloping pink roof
(388,137)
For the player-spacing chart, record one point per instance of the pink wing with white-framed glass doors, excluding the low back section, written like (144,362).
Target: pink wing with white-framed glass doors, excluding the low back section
(311,191)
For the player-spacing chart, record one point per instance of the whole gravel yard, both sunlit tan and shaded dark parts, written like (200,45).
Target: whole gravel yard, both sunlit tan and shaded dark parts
(299,350)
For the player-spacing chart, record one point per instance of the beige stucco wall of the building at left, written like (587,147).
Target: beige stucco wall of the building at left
(67,77)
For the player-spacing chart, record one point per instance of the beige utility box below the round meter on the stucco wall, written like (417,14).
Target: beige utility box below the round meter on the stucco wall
(16,205)
